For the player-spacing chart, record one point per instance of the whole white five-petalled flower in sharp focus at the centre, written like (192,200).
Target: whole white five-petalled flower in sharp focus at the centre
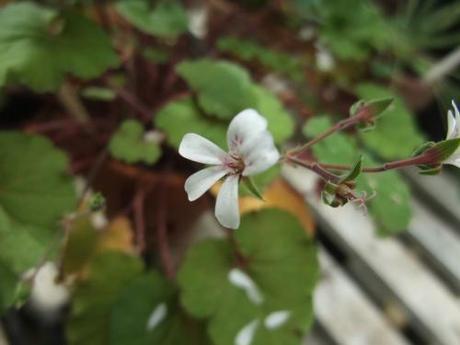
(251,151)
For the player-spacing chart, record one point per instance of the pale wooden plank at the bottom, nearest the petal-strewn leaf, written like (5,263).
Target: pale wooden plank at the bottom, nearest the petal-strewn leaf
(346,313)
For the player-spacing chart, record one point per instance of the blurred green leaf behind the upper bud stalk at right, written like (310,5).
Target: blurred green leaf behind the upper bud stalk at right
(396,134)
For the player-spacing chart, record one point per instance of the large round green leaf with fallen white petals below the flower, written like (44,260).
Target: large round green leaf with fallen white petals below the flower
(274,252)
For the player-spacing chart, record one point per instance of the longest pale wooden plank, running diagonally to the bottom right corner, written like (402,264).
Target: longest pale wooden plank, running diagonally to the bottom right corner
(386,264)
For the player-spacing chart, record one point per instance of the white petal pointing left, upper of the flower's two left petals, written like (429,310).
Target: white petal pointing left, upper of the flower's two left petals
(199,149)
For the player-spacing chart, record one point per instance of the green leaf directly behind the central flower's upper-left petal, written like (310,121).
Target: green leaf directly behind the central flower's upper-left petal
(181,117)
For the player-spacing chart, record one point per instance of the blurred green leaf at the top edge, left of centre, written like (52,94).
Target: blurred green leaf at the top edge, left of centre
(166,19)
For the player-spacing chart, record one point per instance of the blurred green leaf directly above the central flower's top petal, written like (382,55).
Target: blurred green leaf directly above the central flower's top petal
(223,88)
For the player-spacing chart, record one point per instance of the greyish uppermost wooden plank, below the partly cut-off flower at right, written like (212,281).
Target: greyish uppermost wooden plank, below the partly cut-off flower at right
(441,192)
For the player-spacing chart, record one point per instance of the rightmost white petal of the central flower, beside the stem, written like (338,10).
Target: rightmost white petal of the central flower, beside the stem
(261,156)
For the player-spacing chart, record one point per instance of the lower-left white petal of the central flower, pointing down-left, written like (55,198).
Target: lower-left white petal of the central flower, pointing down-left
(198,183)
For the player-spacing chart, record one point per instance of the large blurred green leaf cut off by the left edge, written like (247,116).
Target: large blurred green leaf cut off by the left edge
(34,193)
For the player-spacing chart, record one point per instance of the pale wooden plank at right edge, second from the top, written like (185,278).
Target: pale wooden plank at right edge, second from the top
(438,241)
